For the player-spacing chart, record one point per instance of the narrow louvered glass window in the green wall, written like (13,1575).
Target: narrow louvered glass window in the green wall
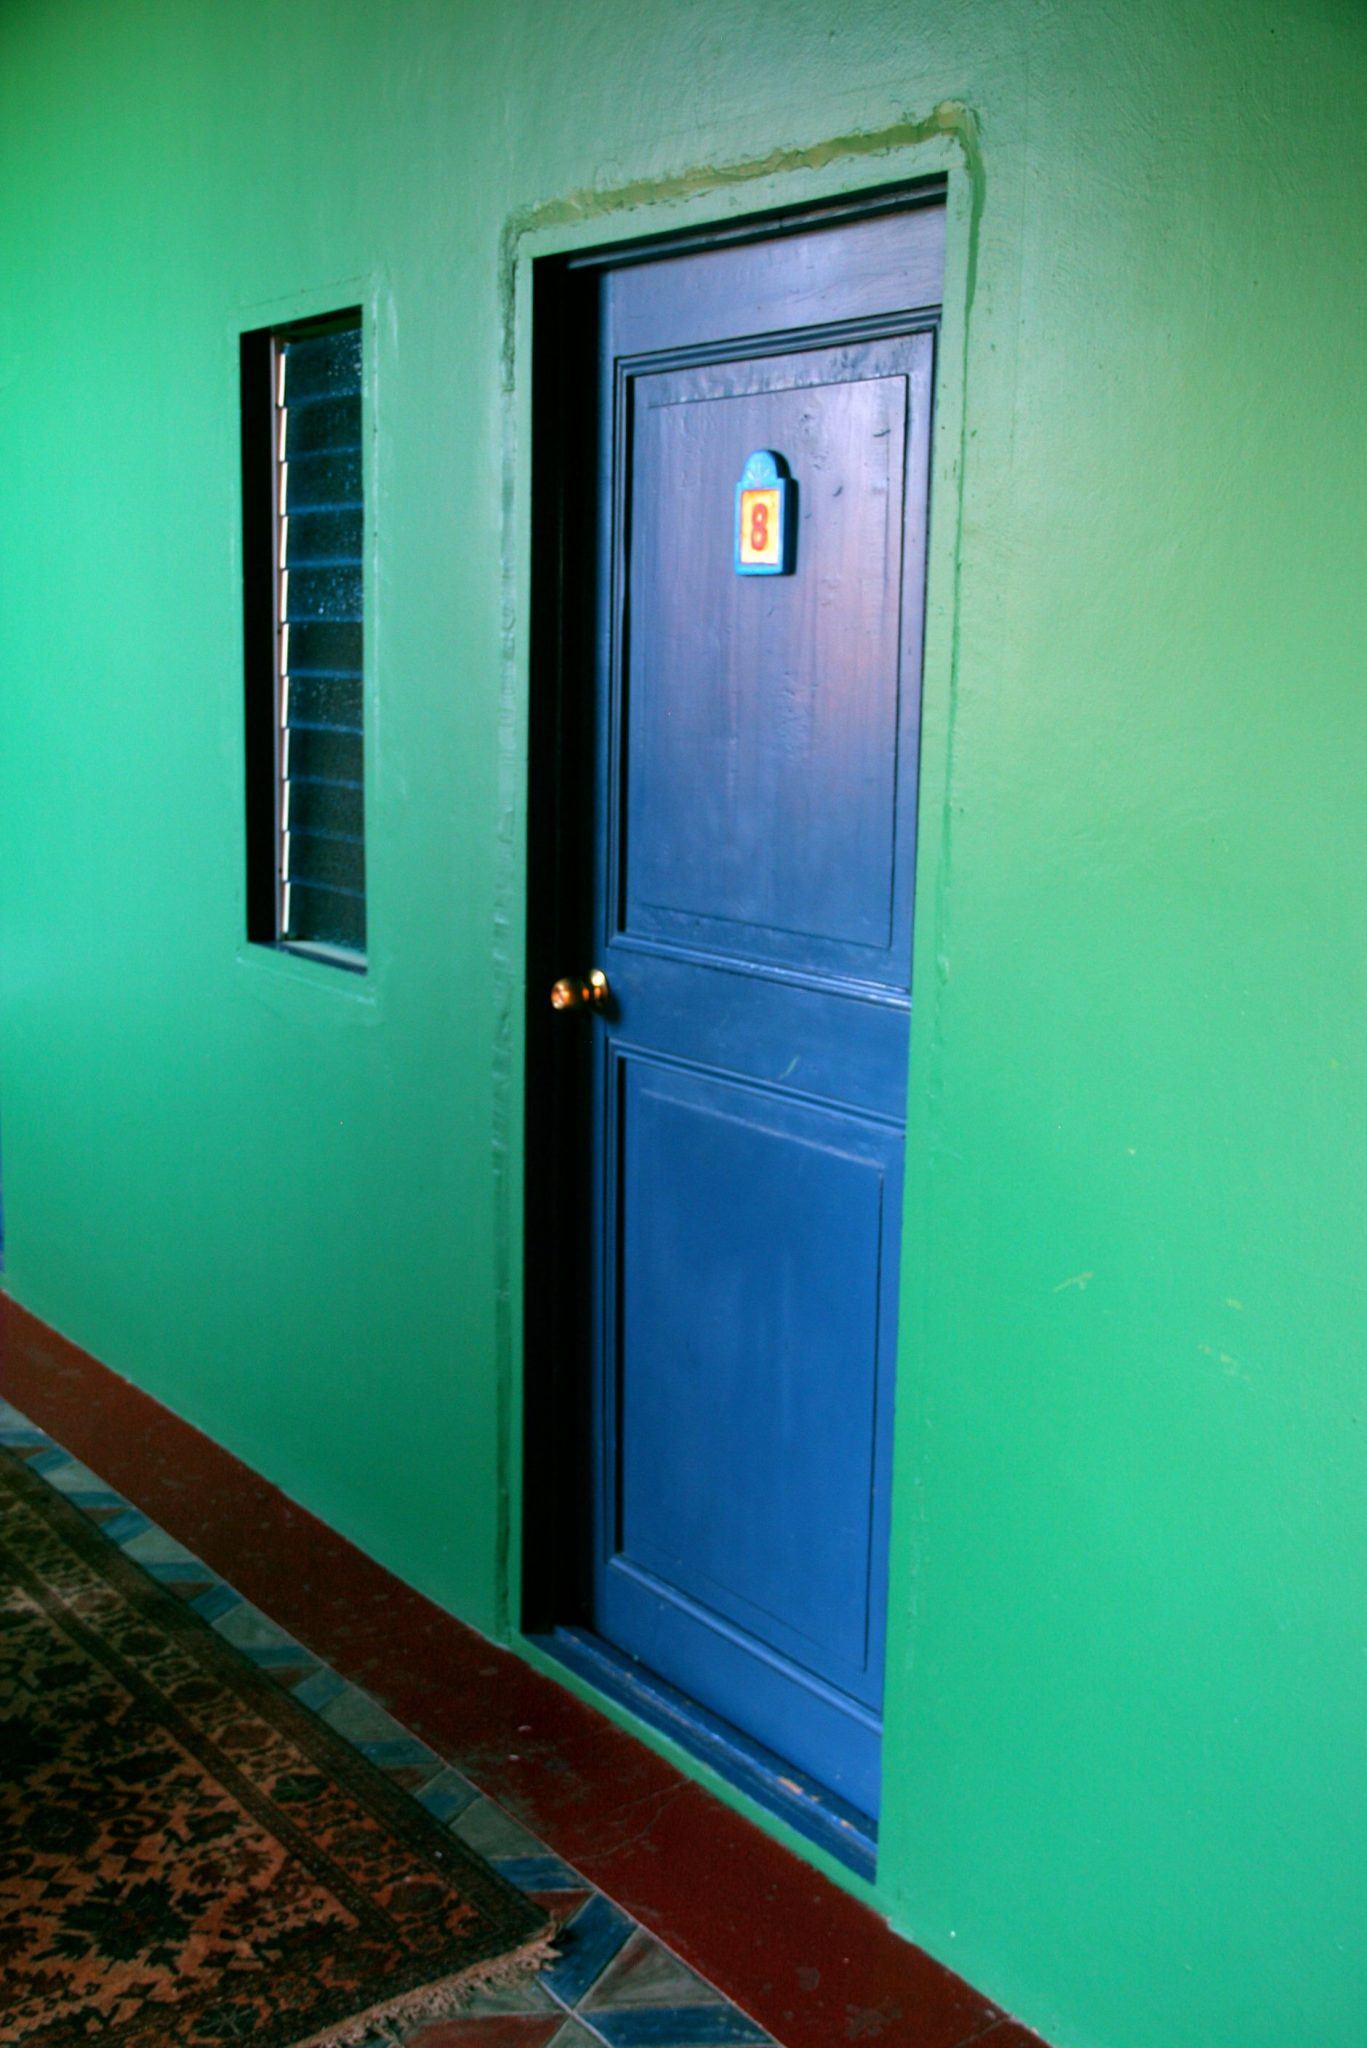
(304,521)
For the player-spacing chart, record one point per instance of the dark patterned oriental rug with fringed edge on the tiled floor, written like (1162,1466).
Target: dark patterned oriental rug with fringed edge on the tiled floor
(185,1852)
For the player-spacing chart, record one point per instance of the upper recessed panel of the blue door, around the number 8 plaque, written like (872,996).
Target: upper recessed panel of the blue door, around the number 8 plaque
(770,740)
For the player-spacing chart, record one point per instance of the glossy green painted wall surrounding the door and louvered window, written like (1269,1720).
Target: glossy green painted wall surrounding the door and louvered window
(1124,1789)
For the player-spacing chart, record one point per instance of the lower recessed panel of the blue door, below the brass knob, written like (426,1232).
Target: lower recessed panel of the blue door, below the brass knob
(784,1312)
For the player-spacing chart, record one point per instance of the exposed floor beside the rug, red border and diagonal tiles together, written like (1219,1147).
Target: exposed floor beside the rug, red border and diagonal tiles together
(671,1902)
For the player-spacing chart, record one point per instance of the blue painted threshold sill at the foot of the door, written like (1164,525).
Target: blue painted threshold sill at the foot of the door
(809,1807)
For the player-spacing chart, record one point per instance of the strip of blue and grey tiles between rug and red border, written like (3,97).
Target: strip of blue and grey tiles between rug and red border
(612,1986)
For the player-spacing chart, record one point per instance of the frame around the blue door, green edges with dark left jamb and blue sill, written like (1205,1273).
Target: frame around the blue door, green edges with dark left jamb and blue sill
(550,269)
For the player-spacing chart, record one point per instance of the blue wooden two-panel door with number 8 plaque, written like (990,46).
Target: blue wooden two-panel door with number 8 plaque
(753,908)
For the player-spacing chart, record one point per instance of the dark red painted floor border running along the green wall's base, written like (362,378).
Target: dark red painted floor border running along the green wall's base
(788,1947)
